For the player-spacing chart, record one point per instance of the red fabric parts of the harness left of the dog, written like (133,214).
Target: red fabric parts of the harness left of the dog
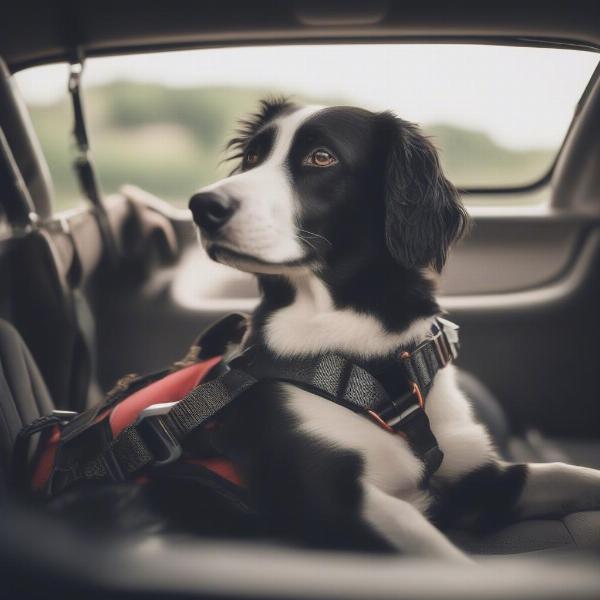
(171,388)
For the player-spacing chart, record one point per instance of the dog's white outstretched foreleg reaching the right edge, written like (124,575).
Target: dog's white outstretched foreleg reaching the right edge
(558,489)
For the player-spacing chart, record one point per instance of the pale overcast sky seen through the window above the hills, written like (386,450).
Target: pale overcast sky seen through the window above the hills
(522,97)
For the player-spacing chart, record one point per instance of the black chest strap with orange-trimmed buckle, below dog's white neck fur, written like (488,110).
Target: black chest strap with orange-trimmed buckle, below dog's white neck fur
(398,404)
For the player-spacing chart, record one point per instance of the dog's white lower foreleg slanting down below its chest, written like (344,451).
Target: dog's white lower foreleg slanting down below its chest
(405,528)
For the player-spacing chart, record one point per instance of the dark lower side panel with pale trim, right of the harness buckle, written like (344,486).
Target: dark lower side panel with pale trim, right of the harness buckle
(537,350)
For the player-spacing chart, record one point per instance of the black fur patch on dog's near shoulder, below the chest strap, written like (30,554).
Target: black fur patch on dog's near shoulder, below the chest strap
(301,488)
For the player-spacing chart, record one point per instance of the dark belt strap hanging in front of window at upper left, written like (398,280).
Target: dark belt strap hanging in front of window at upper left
(83,165)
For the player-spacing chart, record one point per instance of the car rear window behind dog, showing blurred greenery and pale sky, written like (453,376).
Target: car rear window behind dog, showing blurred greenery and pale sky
(498,114)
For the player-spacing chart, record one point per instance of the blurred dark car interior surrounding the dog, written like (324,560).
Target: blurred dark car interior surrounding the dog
(101,288)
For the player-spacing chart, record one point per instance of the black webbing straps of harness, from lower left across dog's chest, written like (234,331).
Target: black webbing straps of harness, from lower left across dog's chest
(396,403)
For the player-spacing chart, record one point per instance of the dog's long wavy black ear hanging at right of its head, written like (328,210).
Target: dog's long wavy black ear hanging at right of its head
(423,211)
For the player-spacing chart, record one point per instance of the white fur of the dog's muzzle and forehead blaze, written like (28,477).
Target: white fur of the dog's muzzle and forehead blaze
(264,227)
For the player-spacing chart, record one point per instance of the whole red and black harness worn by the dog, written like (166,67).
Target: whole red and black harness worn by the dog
(146,424)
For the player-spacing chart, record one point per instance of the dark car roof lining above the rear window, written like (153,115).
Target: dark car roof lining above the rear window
(55,30)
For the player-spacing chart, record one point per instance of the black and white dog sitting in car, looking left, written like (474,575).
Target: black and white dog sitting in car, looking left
(345,216)
